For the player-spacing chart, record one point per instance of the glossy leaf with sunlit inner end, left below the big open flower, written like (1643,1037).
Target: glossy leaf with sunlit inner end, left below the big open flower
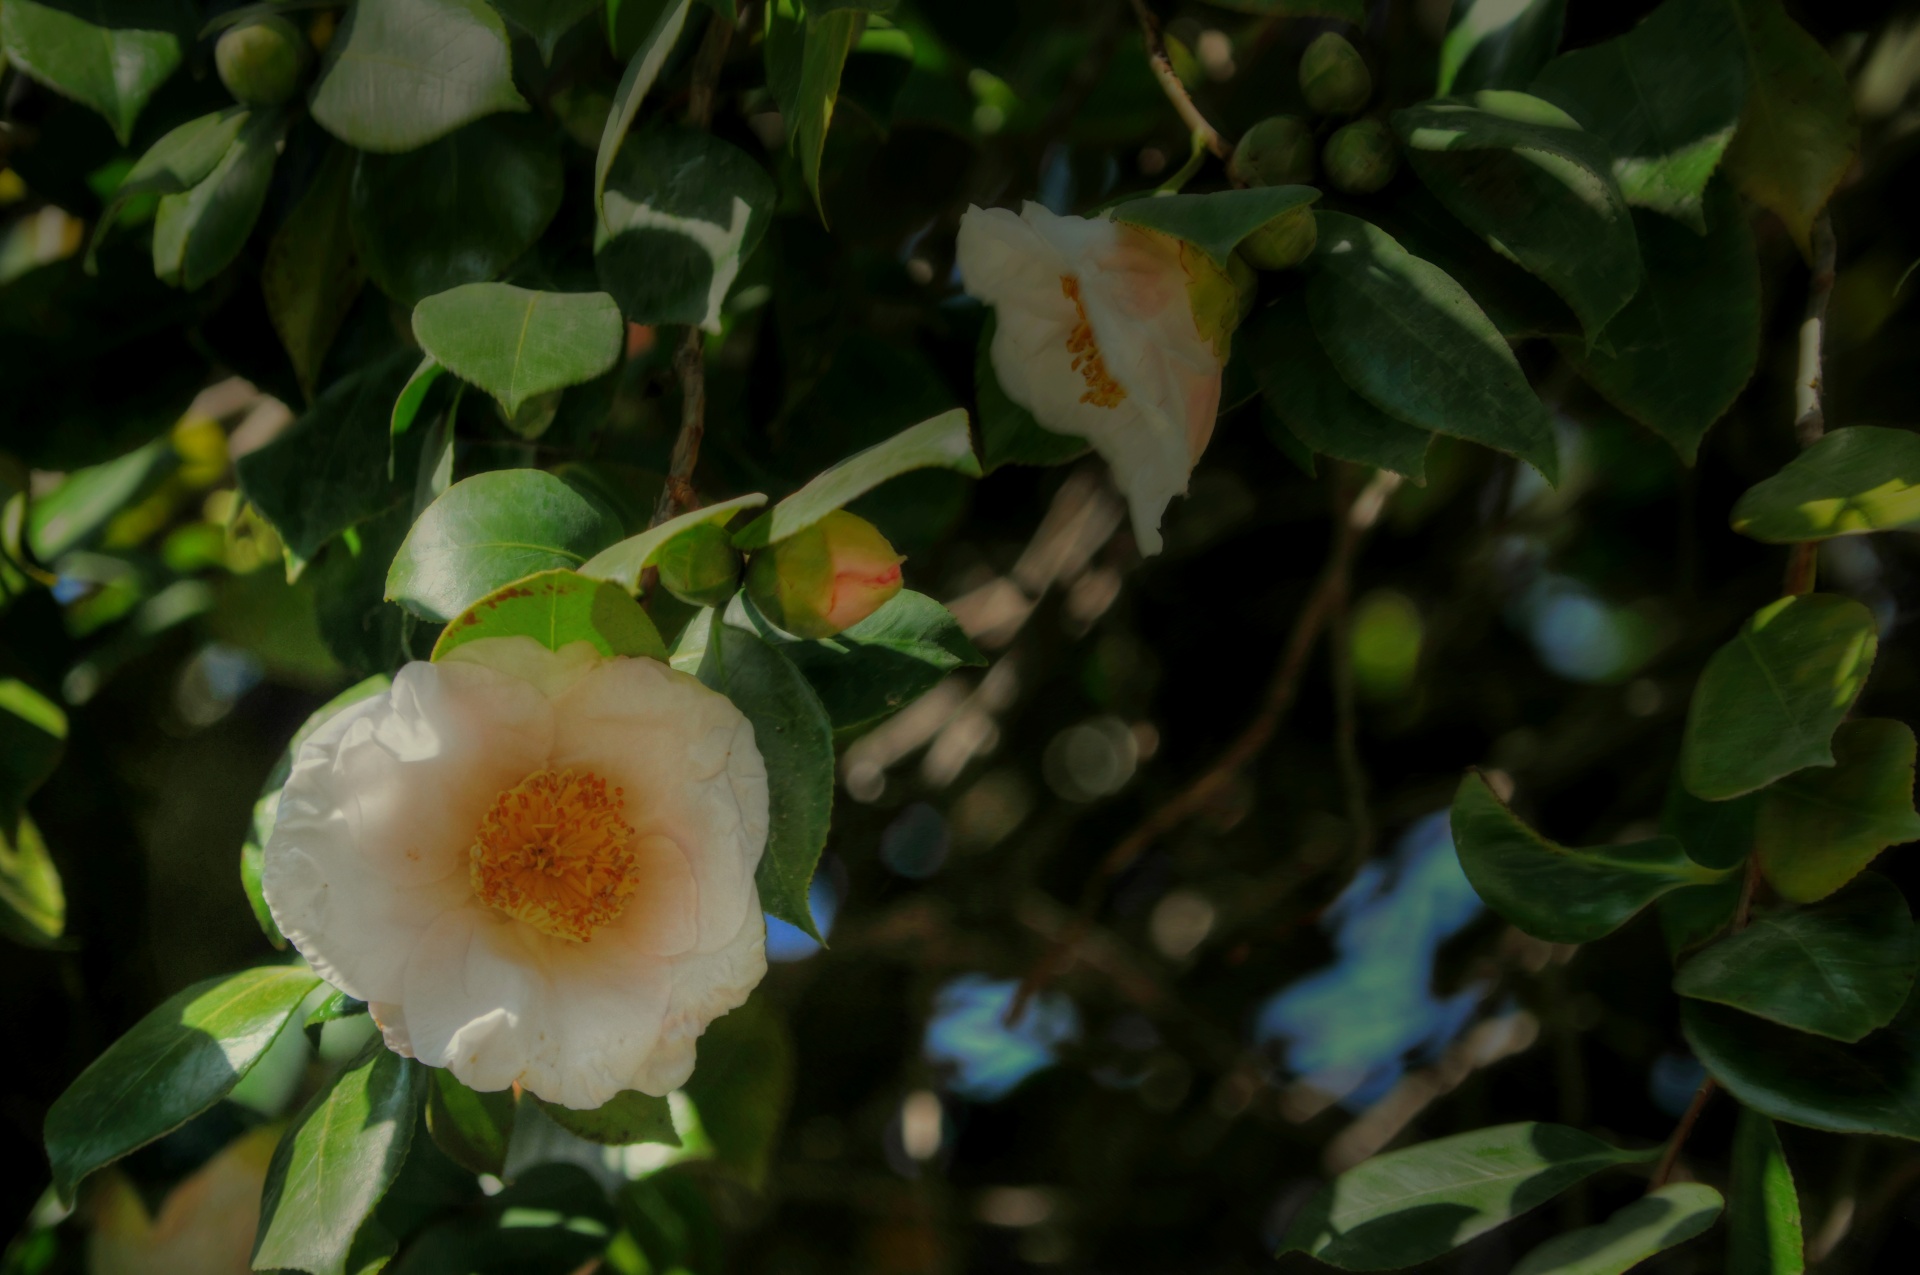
(176,1063)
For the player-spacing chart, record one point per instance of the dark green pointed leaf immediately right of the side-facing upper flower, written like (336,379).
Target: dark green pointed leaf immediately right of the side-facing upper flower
(1414,345)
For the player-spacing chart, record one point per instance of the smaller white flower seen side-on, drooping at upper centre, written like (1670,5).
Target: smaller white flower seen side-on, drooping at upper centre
(1097,337)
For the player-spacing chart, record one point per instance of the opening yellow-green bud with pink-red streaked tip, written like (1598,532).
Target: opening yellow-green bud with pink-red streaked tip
(825,579)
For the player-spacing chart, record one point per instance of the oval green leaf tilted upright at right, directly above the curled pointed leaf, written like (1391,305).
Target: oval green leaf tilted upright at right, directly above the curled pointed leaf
(1769,702)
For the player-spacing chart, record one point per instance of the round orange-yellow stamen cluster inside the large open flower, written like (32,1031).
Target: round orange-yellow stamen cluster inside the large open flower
(556,854)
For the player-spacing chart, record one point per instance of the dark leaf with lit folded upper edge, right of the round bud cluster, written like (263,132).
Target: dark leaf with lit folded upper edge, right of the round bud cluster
(1535,187)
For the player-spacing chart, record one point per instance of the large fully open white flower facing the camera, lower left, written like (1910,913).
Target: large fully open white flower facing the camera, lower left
(535,867)
